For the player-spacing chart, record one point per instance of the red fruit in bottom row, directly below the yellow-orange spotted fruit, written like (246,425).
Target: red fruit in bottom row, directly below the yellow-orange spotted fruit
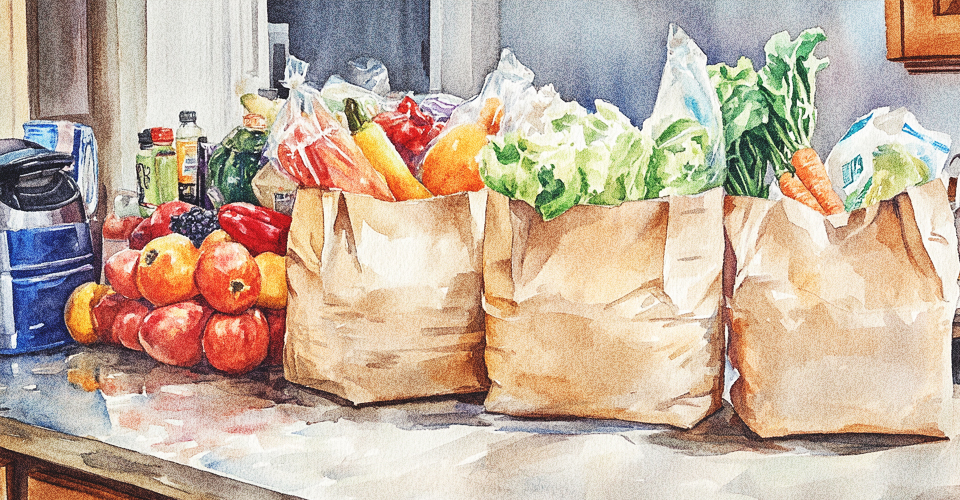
(171,334)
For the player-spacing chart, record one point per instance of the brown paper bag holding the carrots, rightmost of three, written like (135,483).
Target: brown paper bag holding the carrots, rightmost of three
(843,324)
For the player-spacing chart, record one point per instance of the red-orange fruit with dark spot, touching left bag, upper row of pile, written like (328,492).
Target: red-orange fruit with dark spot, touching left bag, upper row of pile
(228,277)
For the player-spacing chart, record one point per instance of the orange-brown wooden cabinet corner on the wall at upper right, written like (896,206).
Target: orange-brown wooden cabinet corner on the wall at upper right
(924,34)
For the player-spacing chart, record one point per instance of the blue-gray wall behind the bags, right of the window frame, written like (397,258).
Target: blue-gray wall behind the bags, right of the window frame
(615,50)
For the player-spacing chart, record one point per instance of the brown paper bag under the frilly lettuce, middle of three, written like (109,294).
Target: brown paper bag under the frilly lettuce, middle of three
(606,312)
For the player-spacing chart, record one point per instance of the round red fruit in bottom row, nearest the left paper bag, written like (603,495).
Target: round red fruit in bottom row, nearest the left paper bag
(237,343)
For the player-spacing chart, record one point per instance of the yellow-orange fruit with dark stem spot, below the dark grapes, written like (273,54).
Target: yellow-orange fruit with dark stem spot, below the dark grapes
(166,268)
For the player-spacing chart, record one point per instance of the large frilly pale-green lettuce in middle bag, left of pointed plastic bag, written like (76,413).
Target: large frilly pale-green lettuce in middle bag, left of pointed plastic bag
(580,158)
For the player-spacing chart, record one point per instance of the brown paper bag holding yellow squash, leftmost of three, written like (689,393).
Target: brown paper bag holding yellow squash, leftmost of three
(384,298)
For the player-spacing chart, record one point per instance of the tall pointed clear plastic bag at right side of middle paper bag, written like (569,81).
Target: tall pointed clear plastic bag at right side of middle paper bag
(686,94)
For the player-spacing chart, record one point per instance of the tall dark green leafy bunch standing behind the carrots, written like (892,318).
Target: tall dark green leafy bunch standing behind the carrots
(768,115)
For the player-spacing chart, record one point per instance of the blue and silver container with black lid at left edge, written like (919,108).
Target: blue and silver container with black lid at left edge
(46,249)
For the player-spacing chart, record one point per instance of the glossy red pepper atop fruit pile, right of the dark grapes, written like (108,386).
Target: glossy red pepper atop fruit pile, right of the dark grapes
(257,228)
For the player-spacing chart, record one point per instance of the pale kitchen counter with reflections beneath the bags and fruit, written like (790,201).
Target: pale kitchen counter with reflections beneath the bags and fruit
(195,433)
